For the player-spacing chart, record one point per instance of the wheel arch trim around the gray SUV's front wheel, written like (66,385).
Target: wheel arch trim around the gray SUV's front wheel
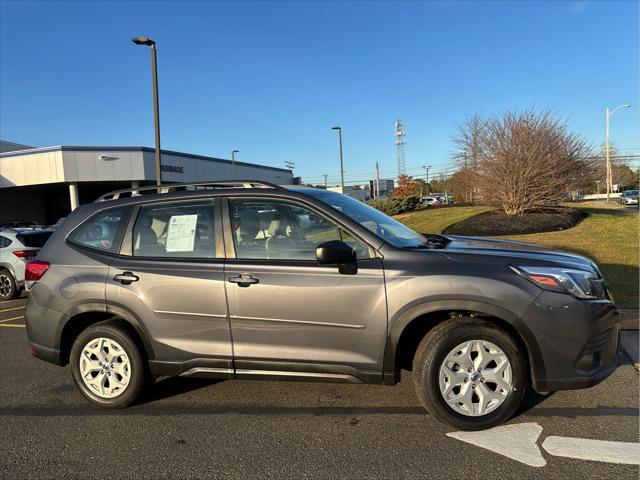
(408,329)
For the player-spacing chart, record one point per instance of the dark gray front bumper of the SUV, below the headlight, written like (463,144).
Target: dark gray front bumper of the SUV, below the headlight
(577,341)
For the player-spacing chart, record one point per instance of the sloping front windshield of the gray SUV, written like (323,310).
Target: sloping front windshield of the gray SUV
(373,220)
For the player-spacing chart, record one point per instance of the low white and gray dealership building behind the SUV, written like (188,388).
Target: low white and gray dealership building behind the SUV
(44,184)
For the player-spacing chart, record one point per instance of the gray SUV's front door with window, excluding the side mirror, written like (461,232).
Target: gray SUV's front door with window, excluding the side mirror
(289,315)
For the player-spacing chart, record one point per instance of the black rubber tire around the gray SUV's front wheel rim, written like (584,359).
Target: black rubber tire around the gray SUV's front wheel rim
(433,350)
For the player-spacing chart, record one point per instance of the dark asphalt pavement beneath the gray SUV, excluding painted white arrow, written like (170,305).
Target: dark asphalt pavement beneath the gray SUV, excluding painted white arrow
(240,429)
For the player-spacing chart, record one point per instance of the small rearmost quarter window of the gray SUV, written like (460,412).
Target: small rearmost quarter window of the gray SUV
(103,231)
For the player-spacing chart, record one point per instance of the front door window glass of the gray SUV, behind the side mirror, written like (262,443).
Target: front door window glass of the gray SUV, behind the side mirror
(278,230)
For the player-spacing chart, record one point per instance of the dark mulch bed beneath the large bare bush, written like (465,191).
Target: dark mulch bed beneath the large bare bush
(494,223)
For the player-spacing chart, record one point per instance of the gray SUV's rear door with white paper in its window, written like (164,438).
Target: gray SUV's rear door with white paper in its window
(170,275)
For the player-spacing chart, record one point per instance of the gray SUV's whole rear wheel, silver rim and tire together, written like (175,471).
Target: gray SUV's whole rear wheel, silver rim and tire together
(107,366)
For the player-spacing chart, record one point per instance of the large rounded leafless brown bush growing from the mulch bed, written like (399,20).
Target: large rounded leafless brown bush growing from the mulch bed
(525,160)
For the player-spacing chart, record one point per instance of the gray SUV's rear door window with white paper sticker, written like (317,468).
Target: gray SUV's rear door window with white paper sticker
(175,230)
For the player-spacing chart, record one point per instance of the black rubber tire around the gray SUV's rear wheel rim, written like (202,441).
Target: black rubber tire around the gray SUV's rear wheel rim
(138,377)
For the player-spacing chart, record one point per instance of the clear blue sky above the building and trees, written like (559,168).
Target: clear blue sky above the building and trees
(270,79)
